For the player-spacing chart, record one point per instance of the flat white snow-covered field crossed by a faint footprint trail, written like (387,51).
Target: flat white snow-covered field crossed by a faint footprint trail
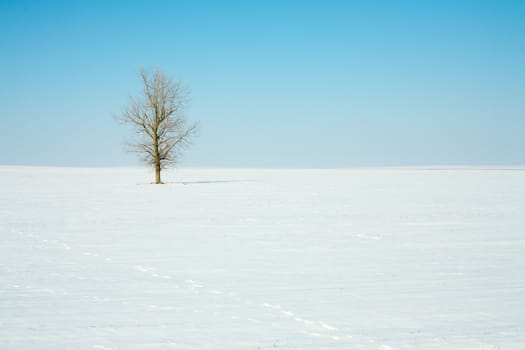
(262,259)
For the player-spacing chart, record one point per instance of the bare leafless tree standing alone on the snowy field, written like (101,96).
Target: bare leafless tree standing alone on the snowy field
(159,120)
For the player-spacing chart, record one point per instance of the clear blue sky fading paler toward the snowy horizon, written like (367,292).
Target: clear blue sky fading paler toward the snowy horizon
(274,83)
